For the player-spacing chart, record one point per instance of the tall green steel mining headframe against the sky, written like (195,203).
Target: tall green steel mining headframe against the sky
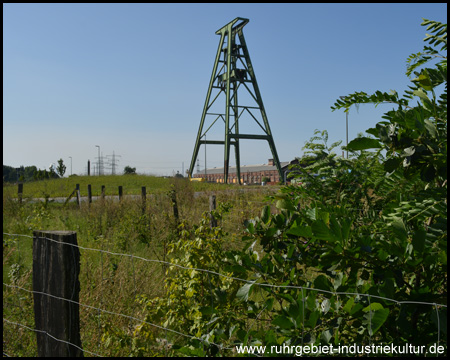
(233,70)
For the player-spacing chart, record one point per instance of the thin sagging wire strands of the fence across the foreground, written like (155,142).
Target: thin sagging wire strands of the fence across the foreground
(100,309)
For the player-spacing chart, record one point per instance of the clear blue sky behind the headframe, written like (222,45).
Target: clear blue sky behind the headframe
(133,78)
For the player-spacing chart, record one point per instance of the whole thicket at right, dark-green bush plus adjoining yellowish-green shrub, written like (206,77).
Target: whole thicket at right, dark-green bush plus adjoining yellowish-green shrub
(349,257)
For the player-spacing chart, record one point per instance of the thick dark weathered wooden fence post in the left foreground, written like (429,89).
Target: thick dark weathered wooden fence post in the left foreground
(56,266)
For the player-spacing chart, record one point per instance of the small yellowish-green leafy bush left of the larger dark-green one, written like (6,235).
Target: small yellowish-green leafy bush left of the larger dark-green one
(197,303)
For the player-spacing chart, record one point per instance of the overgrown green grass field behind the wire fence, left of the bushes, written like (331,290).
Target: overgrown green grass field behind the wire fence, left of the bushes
(110,282)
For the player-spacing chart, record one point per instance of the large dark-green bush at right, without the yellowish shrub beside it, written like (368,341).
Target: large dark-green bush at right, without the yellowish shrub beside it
(365,230)
